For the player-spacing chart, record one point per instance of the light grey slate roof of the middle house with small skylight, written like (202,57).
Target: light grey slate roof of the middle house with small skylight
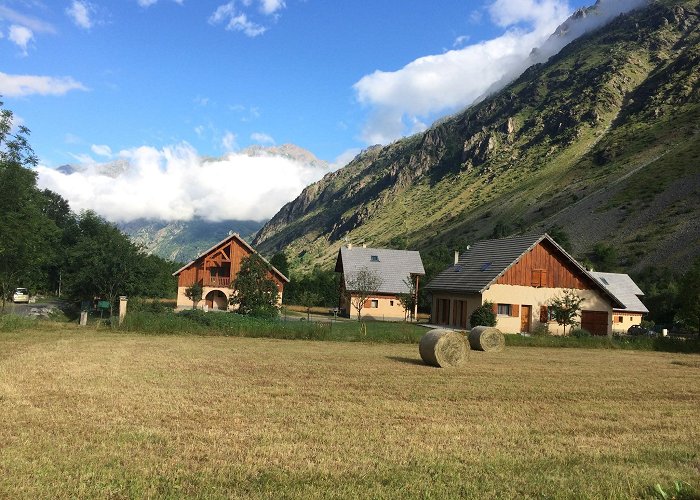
(393,266)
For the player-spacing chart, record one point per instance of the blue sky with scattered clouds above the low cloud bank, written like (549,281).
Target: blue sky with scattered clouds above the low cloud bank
(101,80)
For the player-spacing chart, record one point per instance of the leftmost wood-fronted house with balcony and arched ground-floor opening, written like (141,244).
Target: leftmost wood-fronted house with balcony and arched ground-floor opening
(216,270)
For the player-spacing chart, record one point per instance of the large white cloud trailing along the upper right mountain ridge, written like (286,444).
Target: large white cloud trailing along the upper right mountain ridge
(402,101)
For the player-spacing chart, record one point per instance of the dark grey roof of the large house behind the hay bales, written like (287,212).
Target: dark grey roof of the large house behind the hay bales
(485,261)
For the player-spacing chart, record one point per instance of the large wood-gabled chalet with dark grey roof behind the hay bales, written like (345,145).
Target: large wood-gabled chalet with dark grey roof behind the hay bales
(519,276)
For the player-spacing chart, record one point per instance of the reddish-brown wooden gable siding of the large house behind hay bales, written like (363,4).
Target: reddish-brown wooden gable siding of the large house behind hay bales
(544,267)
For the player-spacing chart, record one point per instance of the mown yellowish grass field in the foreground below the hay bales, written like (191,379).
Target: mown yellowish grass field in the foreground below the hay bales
(102,414)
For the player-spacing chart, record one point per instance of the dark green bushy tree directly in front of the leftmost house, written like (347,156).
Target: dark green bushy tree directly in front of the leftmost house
(256,292)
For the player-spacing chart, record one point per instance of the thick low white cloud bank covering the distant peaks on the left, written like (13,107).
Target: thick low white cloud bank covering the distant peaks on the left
(175,183)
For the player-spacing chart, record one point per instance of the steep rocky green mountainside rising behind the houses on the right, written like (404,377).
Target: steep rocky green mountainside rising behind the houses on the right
(600,142)
